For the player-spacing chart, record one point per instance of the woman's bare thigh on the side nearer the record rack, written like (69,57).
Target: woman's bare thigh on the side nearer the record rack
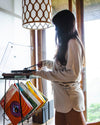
(60,118)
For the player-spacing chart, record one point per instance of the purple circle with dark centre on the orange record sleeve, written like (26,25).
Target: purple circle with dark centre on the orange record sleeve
(15,109)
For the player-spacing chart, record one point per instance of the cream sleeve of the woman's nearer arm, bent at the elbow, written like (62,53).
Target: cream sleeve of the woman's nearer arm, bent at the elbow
(72,68)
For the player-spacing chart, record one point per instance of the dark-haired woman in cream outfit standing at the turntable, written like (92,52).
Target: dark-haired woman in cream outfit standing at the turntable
(66,71)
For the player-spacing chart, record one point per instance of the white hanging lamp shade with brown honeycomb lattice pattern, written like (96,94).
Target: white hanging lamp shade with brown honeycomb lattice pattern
(36,14)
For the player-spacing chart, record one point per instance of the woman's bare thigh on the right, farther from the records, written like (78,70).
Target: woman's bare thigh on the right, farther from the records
(75,118)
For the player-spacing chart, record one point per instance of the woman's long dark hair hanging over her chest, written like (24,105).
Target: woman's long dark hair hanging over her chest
(64,22)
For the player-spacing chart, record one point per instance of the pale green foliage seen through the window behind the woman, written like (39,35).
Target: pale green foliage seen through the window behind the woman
(93,113)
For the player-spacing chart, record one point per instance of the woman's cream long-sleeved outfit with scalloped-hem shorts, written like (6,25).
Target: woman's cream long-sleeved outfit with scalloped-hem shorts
(65,79)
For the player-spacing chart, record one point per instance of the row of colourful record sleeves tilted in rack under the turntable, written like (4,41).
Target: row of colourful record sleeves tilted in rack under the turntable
(21,102)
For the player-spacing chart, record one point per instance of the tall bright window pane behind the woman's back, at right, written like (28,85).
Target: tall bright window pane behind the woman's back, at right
(92,46)
